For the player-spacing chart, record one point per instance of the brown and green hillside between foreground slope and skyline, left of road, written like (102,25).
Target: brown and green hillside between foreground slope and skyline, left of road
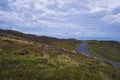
(70,44)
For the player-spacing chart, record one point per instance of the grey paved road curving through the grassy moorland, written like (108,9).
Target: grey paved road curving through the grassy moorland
(83,49)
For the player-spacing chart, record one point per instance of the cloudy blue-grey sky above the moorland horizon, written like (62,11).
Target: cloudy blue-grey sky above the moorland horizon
(80,19)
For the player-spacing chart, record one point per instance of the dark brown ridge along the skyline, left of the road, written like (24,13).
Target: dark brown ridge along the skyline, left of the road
(31,37)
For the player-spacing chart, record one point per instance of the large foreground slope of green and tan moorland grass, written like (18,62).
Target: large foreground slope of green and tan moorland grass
(22,59)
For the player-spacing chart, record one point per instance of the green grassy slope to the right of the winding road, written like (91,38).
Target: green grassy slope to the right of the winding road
(109,50)
